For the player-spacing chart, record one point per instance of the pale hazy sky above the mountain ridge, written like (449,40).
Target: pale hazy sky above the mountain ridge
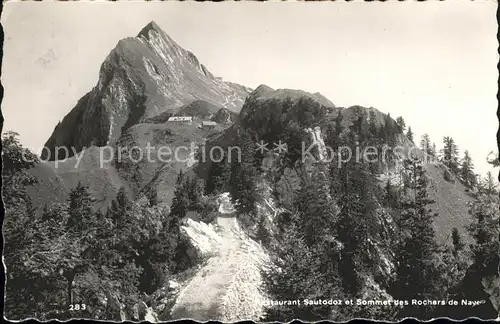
(434,63)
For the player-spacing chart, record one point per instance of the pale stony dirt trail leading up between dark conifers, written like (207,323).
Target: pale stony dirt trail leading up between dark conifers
(227,288)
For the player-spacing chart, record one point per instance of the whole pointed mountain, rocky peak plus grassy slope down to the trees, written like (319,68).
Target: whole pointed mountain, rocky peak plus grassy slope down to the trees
(143,81)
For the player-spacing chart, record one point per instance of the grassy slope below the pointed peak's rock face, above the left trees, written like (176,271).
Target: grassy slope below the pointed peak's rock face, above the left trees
(57,179)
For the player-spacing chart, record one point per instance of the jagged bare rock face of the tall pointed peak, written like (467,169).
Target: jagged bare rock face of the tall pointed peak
(142,77)
